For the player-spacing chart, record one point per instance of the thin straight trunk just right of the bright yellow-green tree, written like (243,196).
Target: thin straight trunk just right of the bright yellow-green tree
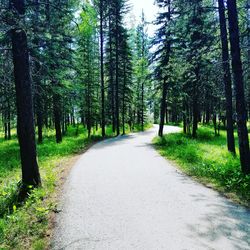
(102,70)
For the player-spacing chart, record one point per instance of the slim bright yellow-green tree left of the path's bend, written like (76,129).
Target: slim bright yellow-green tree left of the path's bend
(88,66)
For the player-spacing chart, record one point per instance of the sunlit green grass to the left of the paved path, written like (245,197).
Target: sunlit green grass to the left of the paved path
(26,225)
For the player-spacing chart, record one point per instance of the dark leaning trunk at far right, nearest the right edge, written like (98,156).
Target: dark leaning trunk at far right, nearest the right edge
(239,86)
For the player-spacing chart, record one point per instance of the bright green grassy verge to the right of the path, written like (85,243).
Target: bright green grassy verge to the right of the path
(207,159)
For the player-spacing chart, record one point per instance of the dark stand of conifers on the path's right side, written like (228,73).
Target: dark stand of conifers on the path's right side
(204,70)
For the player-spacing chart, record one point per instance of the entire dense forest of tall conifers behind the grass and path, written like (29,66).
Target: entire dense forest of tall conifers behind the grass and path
(86,62)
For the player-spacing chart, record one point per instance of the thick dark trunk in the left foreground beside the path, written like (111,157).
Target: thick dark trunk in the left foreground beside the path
(24,102)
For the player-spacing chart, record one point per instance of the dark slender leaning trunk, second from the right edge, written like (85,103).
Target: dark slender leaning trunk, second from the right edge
(227,78)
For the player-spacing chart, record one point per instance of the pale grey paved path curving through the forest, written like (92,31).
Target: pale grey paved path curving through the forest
(122,195)
